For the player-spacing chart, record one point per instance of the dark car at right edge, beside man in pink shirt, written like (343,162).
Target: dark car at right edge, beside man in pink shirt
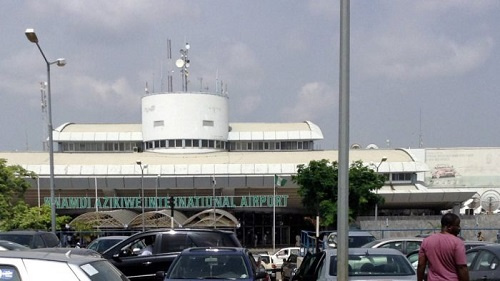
(483,262)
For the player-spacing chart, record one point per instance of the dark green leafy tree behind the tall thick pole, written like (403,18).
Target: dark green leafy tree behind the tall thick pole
(318,187)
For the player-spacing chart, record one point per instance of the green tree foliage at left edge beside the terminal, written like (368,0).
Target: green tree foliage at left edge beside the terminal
(14,212)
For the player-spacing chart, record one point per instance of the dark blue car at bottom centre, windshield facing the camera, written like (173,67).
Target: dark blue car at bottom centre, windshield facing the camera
(228,263)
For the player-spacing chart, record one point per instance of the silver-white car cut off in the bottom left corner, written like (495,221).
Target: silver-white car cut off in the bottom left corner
(36,265)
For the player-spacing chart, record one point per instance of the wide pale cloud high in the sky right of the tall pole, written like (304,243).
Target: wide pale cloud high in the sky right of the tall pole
(420,58)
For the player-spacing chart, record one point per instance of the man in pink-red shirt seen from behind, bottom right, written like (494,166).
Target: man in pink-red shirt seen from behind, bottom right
(444,253)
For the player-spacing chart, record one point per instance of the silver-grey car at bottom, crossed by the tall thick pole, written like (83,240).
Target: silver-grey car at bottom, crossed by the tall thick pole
(363,264)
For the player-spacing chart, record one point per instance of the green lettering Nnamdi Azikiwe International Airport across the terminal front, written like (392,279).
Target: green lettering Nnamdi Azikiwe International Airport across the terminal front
(180,202)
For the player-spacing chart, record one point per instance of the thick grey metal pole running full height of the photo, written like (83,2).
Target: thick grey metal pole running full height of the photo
(343,171)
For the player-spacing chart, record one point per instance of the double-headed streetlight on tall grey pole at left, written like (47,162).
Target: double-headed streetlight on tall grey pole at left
(31,35)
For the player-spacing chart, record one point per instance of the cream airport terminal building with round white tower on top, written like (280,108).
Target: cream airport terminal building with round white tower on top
(222,174)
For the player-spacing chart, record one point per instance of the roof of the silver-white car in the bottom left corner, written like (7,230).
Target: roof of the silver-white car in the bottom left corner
(59,257)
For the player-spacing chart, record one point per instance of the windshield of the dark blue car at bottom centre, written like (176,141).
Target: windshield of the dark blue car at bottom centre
(209,266)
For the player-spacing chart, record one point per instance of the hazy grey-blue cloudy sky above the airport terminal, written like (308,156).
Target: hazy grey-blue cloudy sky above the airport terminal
(422,73)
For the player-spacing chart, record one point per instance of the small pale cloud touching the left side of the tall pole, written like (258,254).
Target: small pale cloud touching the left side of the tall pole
(314,100)
